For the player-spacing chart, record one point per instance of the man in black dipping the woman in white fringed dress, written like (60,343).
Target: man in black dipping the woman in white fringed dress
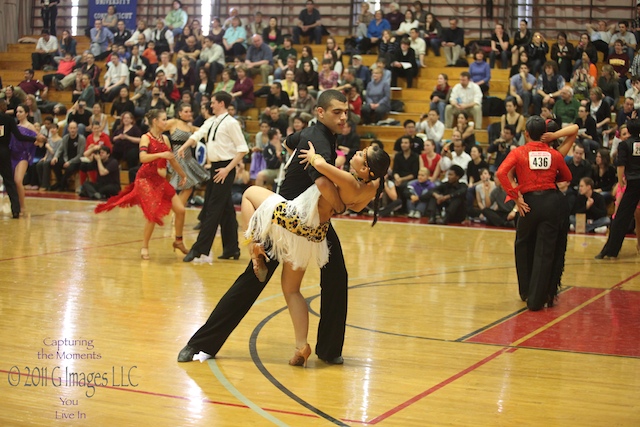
(234,305)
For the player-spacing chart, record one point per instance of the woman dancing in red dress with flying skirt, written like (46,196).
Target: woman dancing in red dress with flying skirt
(151,190)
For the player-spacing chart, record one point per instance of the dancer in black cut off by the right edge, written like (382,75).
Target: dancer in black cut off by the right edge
(629,175)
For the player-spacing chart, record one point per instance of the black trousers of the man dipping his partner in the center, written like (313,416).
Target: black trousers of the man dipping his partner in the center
(235,304)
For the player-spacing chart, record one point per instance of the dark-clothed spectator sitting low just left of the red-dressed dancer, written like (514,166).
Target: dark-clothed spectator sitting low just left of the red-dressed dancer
(108,180)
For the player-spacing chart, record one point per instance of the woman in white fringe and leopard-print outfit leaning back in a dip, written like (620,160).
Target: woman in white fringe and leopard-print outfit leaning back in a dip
(293,231)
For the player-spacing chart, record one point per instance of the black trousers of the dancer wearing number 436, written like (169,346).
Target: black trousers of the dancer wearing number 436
(535,247)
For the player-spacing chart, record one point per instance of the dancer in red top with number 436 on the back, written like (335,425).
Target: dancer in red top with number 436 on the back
(542,210)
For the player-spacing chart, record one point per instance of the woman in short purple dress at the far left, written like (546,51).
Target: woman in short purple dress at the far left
(22,153)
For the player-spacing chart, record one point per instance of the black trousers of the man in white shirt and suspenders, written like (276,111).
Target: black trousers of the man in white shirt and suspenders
(219,211)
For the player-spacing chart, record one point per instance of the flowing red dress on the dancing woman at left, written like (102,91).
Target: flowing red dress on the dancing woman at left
(151,191)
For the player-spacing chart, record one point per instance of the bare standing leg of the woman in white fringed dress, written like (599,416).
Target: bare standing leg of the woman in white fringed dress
(291,281)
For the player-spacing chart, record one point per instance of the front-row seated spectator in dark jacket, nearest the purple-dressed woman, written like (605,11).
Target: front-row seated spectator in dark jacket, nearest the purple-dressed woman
(67,157)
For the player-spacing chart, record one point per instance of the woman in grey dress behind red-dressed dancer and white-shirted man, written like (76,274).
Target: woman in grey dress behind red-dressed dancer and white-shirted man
(179,132)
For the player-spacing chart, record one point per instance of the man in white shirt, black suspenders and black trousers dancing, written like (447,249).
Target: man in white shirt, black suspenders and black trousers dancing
(226,147)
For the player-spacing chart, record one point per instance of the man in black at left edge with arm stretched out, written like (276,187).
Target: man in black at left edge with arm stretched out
(8,127)
